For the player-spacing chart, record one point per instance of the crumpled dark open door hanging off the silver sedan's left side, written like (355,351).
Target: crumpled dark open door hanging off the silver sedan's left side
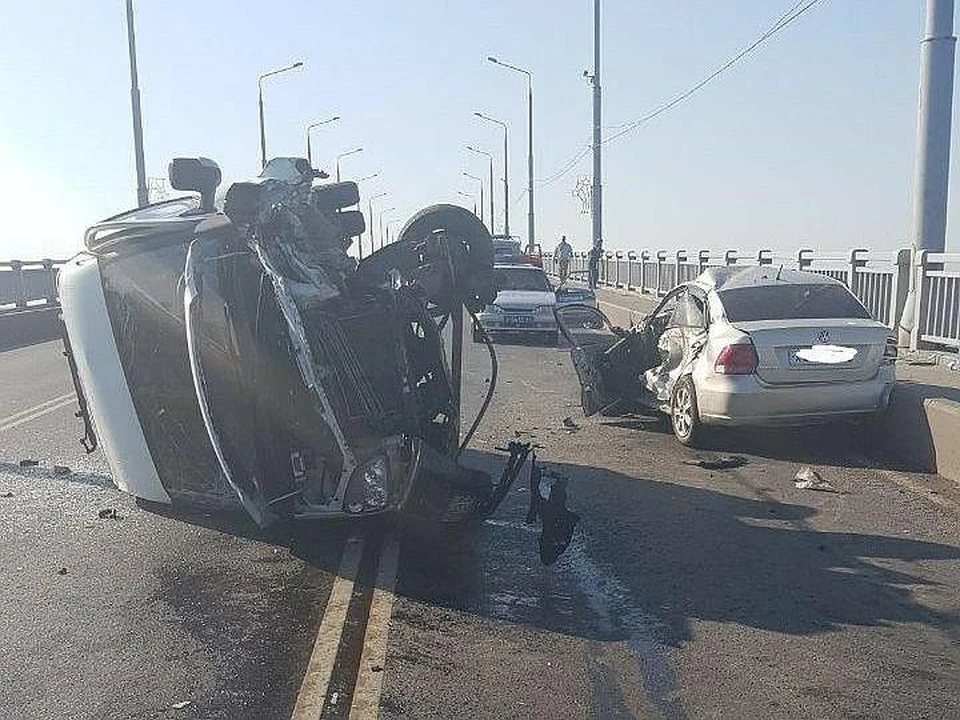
(609,361)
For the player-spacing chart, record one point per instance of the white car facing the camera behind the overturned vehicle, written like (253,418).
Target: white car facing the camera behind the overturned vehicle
(524,304)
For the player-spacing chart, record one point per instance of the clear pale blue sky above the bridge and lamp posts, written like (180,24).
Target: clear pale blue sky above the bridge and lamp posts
(809,141)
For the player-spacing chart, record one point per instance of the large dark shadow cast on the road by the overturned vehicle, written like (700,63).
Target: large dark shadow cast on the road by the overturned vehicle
(648,557)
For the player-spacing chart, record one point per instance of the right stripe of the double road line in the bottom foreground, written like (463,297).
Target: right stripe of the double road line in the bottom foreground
(366,692)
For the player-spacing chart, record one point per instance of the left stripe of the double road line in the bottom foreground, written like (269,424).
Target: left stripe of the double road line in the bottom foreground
(313,689)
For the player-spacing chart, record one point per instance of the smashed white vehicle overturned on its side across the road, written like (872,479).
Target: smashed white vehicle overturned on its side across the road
(241,354)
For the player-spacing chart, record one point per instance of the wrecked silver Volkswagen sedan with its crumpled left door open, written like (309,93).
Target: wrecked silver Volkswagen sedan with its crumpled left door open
(738,346)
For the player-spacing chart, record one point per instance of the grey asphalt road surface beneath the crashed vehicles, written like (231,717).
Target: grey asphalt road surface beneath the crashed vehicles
(686,592)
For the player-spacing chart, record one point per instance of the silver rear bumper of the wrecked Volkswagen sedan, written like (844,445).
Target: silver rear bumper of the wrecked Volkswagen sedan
(745,400)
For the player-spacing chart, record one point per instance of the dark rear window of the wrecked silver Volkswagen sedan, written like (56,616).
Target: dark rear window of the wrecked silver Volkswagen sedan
(790,302)
